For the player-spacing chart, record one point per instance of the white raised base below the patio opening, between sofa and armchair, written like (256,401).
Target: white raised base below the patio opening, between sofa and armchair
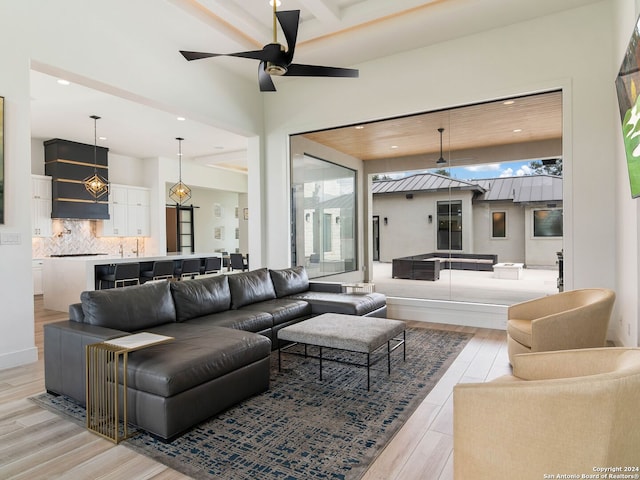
(448,312)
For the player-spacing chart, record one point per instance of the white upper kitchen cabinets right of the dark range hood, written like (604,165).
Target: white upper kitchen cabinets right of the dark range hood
(129,212)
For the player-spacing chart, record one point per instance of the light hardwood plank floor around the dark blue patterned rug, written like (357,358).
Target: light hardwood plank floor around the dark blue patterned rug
(37,444)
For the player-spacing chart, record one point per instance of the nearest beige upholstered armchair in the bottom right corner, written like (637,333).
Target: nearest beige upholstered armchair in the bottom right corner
(561,412)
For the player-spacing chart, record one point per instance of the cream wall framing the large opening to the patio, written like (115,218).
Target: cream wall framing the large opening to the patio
(571,50)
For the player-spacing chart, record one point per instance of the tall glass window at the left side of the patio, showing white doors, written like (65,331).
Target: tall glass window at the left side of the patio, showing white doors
(324,216)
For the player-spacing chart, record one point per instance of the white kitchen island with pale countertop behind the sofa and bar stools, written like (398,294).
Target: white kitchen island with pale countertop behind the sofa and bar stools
(65,278)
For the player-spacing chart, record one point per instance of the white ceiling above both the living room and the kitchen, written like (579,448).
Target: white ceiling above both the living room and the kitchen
(341,33)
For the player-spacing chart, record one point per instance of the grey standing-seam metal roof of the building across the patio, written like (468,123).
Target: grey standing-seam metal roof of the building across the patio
(529,188)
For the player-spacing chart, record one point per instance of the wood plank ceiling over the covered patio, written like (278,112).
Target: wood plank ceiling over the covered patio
(518,120)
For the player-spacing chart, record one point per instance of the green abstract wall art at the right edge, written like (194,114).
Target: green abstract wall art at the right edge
(627,85)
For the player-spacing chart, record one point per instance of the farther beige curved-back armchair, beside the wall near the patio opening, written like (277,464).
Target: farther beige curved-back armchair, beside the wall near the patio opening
(564,321)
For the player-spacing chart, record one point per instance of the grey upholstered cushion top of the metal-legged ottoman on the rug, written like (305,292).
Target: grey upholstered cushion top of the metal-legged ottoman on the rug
(345,332)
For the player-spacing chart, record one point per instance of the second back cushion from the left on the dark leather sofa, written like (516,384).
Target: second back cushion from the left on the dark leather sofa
(200,296)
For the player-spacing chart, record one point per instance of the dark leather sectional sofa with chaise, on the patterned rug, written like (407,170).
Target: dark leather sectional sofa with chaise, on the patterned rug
(224,328)
